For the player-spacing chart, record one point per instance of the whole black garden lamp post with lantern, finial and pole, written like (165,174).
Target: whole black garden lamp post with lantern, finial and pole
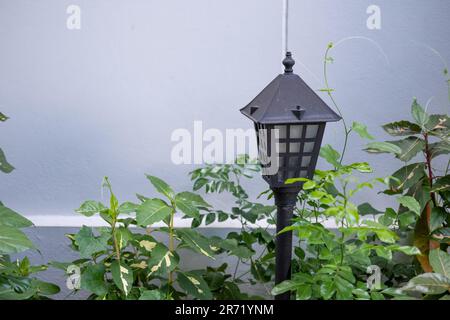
(289,120)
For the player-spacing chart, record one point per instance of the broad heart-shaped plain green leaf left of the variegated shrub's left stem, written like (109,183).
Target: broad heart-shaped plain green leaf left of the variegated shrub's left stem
(88,243)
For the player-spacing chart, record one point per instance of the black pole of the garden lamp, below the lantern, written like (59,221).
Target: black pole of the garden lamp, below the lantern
(285,200)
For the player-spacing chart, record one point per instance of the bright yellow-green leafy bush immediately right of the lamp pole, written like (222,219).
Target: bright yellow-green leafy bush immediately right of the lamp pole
(332,264)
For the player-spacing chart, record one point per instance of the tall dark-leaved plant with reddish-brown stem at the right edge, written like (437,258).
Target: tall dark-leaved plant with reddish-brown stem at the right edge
(424,195)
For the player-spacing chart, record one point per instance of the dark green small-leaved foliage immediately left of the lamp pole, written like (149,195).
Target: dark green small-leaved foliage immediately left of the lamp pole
(228,178)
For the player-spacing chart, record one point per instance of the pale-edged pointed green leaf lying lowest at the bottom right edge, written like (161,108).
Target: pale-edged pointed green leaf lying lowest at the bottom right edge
(428,283)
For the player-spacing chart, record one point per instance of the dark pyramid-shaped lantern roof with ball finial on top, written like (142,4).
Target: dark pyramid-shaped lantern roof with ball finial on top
(288,99)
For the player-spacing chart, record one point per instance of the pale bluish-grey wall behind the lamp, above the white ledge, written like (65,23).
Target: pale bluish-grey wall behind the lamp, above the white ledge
(104,100)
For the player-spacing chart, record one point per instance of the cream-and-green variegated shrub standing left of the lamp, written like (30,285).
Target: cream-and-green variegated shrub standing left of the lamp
(118,262)
